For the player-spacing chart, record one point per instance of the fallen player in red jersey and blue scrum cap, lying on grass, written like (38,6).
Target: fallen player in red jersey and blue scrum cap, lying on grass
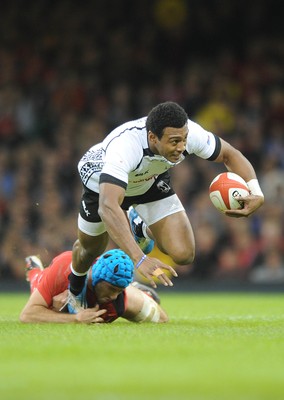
(109,292)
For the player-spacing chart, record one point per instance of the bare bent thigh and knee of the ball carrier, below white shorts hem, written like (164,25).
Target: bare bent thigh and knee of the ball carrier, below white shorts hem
(174,236)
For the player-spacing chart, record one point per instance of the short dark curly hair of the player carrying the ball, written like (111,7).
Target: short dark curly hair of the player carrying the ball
(168,114)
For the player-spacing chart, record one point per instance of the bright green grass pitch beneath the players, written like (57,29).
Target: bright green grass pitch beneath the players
(216,346)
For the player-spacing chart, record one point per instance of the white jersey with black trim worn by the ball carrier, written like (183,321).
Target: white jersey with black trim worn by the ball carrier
(124,157)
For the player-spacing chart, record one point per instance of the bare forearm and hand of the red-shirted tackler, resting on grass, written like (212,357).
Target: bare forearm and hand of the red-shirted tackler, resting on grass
(37,310)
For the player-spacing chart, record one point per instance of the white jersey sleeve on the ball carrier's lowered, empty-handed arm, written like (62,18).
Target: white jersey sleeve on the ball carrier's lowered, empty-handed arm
(122,155)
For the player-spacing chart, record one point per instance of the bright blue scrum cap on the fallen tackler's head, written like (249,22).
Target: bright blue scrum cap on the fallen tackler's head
(114,267)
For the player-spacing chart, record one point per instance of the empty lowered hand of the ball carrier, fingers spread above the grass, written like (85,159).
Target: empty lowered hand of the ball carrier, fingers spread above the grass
(152,267)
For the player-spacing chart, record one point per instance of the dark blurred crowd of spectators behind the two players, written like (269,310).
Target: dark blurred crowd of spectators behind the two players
(71,71)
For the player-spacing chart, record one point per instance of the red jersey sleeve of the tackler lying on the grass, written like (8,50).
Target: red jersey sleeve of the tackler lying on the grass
(55,277)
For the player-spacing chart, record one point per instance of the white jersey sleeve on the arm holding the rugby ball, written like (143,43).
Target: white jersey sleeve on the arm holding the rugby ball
(200,142)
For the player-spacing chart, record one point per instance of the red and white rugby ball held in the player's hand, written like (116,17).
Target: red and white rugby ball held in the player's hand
(225,188)
